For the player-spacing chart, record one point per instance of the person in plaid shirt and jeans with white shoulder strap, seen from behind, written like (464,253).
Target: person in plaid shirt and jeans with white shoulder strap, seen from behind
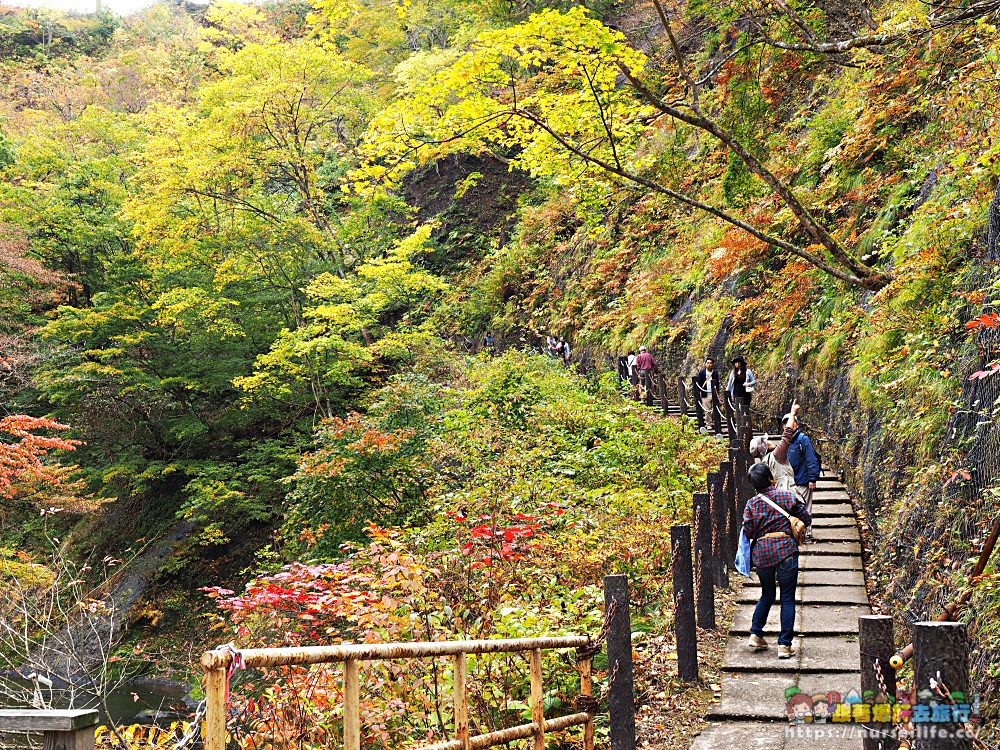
(775,555)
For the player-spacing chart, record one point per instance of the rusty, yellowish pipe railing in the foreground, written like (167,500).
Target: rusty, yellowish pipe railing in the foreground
(217,663)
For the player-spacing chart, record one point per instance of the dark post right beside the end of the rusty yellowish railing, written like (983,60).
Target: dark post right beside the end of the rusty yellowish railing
(621,689)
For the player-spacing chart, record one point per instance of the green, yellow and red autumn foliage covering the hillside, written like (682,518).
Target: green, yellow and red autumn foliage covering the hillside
(248,253)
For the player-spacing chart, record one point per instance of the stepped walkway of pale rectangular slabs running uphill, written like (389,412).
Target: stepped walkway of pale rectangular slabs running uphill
(751,714)
